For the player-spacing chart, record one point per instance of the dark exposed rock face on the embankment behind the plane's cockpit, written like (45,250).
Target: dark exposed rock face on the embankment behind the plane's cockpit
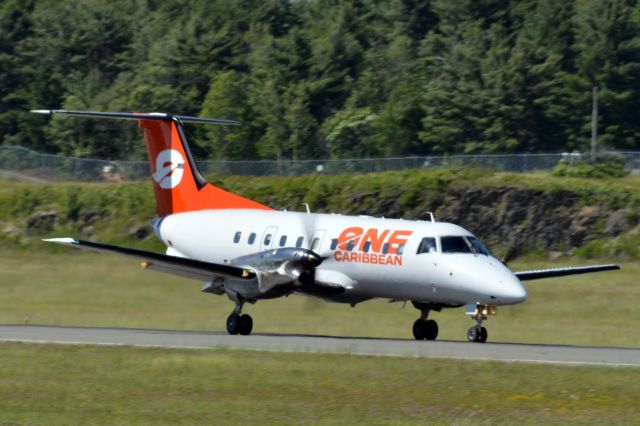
(528,219)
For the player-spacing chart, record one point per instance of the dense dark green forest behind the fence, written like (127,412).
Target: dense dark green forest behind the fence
(324,78)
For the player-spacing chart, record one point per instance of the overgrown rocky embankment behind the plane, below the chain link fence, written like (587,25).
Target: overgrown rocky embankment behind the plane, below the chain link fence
(506,217)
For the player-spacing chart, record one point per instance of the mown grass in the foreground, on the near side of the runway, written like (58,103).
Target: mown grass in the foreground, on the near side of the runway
(123,385)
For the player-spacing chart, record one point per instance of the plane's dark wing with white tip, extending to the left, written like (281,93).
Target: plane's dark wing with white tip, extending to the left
(184,267)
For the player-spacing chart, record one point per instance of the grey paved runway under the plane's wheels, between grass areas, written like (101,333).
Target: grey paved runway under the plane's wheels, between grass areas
(509,352)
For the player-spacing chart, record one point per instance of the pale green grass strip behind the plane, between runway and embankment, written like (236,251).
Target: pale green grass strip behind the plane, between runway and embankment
(84,289)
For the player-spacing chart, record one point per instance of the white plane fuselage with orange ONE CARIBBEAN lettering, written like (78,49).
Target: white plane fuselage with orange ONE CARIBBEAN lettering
(371,257)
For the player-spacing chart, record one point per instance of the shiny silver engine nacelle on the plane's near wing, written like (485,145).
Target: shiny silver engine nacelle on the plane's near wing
(280,267)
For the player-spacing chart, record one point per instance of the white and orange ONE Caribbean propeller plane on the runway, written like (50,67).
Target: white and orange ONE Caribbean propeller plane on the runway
(252,252)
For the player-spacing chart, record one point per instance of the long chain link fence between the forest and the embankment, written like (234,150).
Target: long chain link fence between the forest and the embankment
(26,164)
